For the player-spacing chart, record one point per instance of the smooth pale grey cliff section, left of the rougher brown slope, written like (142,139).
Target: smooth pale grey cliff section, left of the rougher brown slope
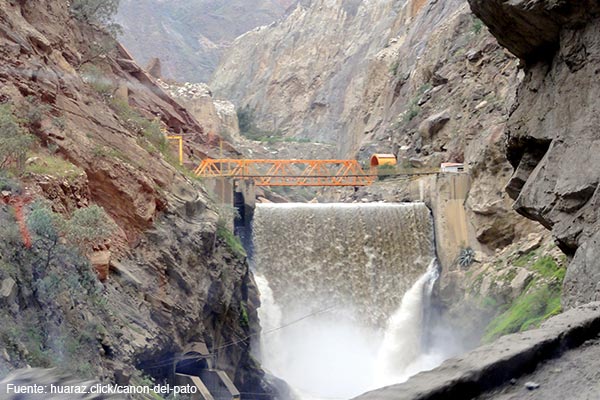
(305,75)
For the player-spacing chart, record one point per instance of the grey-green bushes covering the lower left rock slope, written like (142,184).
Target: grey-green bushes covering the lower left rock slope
(58,315)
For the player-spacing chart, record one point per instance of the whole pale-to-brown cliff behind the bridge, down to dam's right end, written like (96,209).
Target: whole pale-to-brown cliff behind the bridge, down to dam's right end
(425,81)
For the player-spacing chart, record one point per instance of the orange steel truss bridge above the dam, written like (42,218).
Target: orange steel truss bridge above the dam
(288,172)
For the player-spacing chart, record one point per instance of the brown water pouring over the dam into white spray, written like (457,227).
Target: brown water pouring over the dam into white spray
(343,291)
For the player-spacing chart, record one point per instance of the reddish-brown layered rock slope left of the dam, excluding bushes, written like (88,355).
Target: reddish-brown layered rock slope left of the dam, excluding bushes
(176,278)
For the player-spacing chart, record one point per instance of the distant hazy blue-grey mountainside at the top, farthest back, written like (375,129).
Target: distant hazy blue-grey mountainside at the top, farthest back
(190,36)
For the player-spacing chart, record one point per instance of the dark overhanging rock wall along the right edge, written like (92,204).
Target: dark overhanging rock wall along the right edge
(551,133)
